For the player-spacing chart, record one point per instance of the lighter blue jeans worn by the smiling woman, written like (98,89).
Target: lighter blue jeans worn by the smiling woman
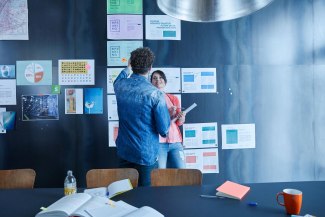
(171,155)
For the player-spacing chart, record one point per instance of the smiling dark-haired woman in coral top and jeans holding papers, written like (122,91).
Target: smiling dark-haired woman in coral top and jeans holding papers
(171,151)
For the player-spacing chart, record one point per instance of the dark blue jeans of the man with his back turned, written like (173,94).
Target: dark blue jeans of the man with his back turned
(144,171)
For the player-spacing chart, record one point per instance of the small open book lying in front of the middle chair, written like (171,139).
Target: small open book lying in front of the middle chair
(112,190)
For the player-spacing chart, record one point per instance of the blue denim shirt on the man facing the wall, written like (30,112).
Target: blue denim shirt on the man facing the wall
(143,114)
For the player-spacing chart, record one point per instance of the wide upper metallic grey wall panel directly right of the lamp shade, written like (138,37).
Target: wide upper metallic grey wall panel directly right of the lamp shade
(280,34)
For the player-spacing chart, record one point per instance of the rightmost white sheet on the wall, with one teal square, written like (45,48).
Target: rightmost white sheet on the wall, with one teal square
(237,136)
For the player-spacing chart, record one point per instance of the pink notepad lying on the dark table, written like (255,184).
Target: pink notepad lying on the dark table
(232,190)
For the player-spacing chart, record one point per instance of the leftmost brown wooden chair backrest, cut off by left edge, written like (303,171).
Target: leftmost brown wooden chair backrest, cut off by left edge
(17,178)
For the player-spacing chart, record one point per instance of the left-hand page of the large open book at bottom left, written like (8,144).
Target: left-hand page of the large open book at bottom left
(66,205)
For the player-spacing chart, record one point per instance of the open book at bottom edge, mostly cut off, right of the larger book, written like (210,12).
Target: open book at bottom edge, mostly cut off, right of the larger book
(122,209)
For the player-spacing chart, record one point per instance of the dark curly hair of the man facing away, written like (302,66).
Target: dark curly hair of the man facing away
(141,60)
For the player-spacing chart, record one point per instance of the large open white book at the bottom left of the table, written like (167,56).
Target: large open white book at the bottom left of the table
(75,205)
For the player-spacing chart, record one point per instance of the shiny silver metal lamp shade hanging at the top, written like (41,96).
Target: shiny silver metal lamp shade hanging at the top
(210,10)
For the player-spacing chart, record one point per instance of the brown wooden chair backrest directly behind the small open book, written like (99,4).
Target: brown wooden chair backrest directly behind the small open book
(103,177)
